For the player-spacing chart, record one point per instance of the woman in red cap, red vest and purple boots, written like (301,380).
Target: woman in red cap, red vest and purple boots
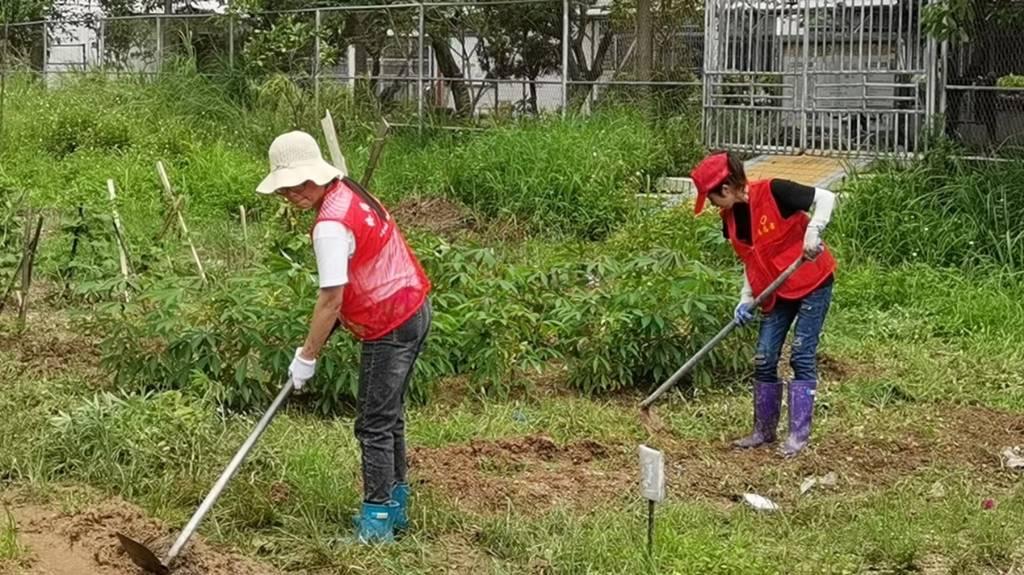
(770,227)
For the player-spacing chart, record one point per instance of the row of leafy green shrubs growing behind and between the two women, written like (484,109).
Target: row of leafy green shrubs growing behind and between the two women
(621,316)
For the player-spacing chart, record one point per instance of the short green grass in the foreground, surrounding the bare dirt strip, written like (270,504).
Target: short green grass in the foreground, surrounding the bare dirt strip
(893,392)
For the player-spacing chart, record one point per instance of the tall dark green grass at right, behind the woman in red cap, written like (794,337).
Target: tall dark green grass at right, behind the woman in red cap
(942,211)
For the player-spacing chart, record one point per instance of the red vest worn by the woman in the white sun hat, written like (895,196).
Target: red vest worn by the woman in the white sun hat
(387,283)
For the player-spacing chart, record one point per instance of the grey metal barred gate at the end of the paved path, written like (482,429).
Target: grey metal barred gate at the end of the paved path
(845,77)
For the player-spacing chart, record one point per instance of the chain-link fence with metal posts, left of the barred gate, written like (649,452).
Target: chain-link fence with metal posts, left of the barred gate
(442,63)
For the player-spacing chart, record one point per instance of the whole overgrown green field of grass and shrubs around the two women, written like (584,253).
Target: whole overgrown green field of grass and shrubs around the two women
(560,283)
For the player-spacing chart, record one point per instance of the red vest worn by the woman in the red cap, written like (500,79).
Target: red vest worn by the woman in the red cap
(777,243)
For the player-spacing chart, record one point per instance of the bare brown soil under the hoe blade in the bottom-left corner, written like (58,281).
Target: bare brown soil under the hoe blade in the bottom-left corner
(84,544)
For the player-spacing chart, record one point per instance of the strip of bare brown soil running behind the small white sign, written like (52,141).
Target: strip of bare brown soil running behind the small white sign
(534,474)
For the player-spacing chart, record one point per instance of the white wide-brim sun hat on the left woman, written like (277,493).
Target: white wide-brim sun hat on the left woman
(295,159)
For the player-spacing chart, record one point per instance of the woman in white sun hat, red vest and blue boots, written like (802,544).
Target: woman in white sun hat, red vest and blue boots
(372,284)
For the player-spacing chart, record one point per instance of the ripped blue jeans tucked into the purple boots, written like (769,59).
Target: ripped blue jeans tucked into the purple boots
(809,315)
